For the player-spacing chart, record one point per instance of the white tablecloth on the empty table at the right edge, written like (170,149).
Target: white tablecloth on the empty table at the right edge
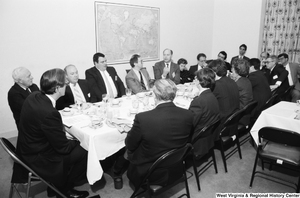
(282,115)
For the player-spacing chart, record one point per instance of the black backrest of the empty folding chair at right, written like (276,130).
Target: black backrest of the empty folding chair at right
(280,136)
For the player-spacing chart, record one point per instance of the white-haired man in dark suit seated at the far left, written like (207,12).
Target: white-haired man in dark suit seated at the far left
(20,90)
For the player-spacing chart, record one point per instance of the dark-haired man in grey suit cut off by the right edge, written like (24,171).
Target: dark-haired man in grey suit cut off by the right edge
(294,72)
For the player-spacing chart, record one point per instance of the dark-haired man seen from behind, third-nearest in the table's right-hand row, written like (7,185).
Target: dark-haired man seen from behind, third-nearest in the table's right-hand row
(226,90)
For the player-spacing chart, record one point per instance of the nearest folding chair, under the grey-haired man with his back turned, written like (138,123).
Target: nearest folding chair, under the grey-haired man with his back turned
(170,160)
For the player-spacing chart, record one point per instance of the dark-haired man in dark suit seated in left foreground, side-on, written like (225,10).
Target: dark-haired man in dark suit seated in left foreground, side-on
(42,142)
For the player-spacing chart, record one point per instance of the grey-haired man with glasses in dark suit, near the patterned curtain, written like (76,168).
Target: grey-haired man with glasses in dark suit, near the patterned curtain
(278,78)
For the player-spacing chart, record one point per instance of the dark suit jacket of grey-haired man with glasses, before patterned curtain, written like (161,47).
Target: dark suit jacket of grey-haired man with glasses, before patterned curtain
(279,73)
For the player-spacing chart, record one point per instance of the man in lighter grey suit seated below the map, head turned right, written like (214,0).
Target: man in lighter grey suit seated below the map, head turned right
(137,79)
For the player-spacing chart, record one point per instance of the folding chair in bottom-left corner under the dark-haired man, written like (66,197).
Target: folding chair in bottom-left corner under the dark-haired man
(32,176)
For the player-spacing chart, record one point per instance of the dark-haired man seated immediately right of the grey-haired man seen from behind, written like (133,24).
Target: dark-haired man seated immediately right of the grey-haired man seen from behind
(205,108)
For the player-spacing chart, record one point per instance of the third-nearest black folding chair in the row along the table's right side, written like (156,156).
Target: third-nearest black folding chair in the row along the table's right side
(230,129)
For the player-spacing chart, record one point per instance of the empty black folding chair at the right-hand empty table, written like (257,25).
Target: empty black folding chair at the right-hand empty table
(278,147)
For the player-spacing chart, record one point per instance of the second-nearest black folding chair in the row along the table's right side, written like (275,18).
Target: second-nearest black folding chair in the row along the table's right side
(206,136)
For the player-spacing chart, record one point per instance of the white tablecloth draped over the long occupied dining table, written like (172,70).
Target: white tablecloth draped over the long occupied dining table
(105,141)
